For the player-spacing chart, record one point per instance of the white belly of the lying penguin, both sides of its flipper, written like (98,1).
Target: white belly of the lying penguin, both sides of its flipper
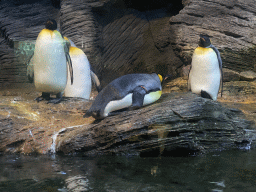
(127,102)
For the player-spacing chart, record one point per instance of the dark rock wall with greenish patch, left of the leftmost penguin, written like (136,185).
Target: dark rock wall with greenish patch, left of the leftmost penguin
(18,26)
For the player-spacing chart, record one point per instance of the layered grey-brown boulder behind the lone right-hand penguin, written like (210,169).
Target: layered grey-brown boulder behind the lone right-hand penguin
(231,25)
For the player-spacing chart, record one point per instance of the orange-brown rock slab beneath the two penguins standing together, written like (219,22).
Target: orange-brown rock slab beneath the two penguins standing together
(28,126)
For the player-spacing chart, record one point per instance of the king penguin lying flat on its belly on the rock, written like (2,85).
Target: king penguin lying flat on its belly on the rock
(128,91)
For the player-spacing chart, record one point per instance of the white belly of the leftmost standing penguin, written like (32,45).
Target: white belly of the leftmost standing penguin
(50,68)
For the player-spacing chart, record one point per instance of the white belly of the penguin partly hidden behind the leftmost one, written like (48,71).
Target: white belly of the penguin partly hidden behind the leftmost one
(81,86)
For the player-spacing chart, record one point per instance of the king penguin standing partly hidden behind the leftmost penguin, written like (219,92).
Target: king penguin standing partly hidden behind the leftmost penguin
(82,73)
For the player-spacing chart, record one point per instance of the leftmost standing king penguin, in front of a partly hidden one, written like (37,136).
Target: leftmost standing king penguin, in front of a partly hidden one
(48,65)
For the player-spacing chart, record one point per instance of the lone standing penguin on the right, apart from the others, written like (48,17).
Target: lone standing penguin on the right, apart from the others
(206,70)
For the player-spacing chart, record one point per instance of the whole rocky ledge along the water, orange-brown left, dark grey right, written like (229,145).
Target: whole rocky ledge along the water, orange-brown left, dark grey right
(177,124)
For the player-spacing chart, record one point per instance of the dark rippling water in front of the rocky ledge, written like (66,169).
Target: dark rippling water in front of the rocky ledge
(220,171)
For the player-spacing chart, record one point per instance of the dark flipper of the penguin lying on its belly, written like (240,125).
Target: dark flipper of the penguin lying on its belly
(138,97)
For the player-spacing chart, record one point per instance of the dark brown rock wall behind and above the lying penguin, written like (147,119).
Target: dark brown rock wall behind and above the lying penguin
(119,38)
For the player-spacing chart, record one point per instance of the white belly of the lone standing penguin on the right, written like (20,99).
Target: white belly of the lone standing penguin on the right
(205,74)
